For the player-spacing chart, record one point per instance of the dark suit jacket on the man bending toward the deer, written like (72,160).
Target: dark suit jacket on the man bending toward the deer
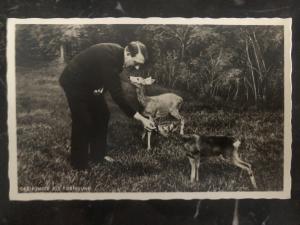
(97,67)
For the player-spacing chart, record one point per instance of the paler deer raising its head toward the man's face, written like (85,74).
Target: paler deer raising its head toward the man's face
(159,106)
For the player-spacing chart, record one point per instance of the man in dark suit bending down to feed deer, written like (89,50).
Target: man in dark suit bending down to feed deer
(84,80)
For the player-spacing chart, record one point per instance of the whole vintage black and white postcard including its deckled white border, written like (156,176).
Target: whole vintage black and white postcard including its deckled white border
(149,108)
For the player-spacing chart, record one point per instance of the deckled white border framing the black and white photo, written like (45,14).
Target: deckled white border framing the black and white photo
(11,95)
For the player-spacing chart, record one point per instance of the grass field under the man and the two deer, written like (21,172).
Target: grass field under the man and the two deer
(43,132)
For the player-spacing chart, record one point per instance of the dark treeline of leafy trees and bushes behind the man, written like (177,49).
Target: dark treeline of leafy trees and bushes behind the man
(242,64)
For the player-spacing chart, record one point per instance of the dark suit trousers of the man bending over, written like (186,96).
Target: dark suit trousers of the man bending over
(90,117)
